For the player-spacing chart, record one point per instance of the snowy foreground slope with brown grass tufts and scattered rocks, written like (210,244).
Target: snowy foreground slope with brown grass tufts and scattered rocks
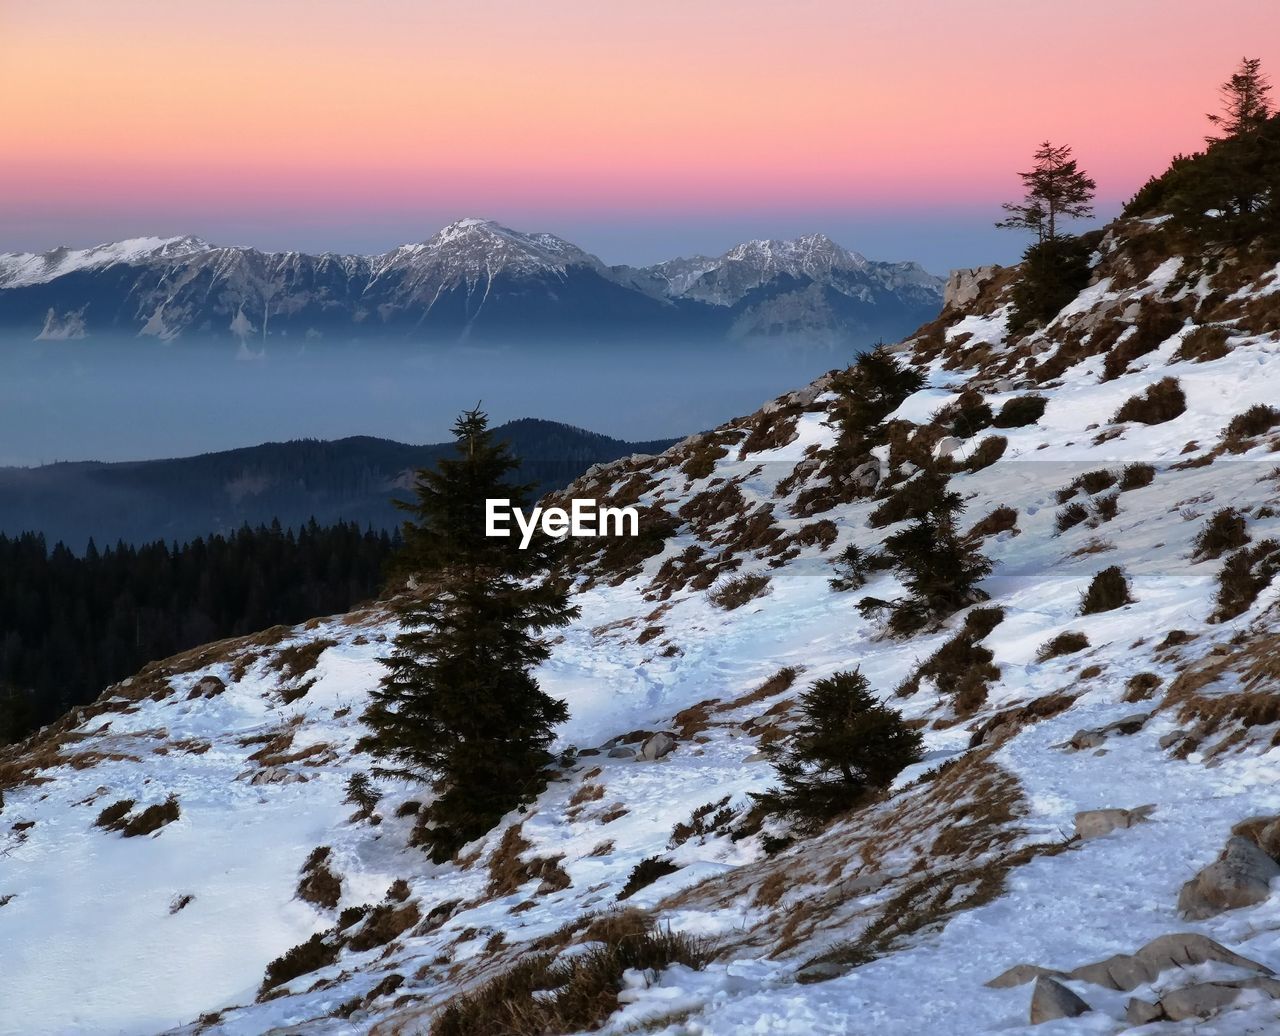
(892,921)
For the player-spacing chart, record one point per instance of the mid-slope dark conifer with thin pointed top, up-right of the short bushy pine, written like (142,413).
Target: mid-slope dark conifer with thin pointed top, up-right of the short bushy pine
(939,567)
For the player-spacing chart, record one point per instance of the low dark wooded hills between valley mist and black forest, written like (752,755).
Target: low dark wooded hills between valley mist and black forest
(353,480)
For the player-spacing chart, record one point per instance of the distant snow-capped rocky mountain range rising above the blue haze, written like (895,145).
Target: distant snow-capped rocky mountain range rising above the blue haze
(473,281)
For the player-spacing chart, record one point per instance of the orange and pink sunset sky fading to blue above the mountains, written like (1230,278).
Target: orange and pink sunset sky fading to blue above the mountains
(638,130)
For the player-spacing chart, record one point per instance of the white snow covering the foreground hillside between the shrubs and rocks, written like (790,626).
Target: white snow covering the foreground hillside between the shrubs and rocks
(93,909)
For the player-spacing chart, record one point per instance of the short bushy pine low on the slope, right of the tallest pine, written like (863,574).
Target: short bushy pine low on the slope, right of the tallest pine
(847,747)
